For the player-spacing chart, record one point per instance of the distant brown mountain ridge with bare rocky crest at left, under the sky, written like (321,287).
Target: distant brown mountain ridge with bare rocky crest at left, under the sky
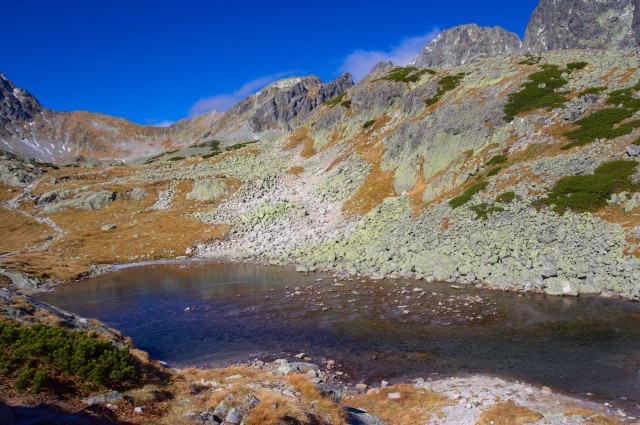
(35,132)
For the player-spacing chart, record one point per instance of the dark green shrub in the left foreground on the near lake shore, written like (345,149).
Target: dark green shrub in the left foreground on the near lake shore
(34,355)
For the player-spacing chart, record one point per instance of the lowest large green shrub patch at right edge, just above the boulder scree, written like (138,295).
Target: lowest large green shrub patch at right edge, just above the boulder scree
(591,192)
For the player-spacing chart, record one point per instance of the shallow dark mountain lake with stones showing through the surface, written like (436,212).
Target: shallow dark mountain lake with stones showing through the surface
(376,329)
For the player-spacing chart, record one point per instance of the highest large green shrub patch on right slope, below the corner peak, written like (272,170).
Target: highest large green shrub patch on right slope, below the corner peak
(541,91)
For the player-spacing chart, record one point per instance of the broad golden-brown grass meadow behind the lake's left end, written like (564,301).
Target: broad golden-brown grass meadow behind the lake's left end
(140,234)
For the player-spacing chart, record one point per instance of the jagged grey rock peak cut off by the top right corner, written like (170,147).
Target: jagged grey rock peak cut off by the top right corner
(582,24)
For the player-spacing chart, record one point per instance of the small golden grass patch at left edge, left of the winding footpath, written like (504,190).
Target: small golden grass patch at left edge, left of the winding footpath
(18,232)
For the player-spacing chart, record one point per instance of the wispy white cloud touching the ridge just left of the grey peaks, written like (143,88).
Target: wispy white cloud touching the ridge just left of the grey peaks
(360,62)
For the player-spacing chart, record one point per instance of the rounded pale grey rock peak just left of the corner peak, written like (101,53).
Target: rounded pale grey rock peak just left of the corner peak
(463,44)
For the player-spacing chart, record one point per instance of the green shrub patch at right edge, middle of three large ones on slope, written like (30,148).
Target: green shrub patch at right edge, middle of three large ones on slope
(602,124)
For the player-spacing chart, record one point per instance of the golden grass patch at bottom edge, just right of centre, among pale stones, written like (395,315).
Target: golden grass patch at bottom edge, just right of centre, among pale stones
(414,407)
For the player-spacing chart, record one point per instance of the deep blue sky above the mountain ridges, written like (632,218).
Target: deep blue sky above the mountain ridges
(154,61)
